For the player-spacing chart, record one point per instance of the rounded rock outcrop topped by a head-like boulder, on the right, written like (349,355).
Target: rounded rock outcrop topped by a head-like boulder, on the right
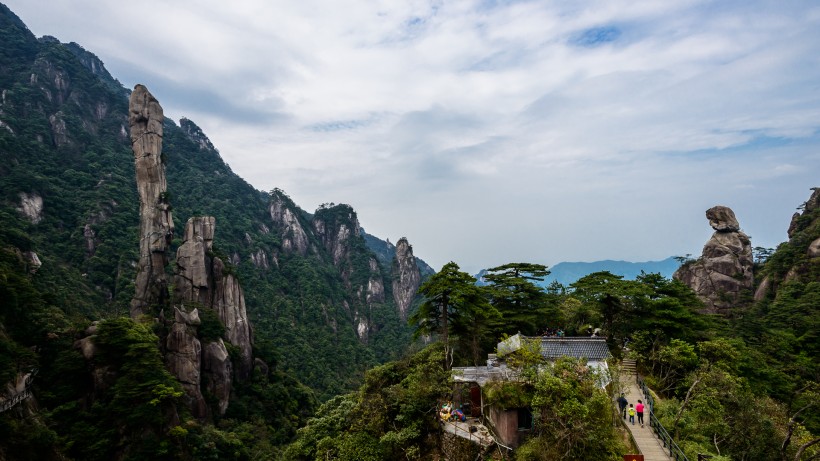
(724,272)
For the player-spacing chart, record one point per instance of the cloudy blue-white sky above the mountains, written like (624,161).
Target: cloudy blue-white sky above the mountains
(485,131)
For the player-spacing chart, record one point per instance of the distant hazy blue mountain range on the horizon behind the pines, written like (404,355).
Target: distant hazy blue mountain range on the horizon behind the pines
(566,273)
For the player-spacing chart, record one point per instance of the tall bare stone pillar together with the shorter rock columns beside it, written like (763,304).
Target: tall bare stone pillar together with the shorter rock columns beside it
(200,282)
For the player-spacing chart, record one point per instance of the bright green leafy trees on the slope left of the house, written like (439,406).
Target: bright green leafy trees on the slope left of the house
(393,416)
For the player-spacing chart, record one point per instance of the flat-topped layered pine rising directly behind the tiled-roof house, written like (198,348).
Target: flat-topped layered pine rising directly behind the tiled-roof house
(522,303)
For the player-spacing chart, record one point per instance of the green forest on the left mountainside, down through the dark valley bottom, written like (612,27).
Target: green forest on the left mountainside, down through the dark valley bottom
(304,308)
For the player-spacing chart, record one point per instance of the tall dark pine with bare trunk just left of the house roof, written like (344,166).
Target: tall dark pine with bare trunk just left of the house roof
(452,300)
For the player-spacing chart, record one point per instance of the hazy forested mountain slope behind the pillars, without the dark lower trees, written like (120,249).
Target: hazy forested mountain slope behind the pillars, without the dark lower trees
(320,301)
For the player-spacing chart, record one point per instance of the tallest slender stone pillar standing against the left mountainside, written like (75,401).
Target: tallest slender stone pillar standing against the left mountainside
(145,117)
